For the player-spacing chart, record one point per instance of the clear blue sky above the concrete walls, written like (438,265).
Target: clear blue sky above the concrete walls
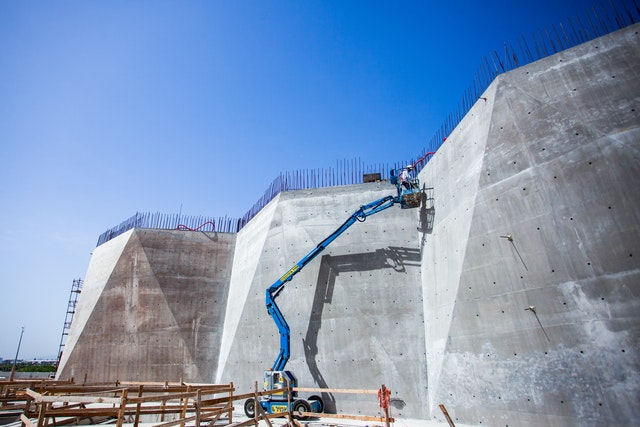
(113,107)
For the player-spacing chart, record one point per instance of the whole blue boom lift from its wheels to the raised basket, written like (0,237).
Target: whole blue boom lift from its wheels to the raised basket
(277,378)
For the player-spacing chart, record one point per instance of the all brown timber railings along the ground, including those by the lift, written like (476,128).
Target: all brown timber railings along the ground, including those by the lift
(46,403)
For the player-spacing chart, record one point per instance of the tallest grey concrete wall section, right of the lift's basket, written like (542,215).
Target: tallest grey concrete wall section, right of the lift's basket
(551,157)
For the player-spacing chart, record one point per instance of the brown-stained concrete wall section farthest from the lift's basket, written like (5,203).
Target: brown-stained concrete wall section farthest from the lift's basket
(151,309)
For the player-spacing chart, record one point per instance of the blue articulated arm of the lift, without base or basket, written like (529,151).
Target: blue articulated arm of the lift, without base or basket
(273,291)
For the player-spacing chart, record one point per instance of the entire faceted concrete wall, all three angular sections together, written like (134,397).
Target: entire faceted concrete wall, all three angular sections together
(511,296)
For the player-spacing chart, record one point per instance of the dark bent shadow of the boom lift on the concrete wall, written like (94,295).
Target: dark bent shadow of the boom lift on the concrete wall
(396,258)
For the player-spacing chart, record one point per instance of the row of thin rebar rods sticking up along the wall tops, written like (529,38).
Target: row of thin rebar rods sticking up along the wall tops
(609,17)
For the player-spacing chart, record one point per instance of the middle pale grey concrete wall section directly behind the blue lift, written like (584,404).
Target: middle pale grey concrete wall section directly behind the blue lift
(355,312)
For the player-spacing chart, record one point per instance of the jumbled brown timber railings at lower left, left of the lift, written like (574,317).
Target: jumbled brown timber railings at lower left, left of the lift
(47,403)
